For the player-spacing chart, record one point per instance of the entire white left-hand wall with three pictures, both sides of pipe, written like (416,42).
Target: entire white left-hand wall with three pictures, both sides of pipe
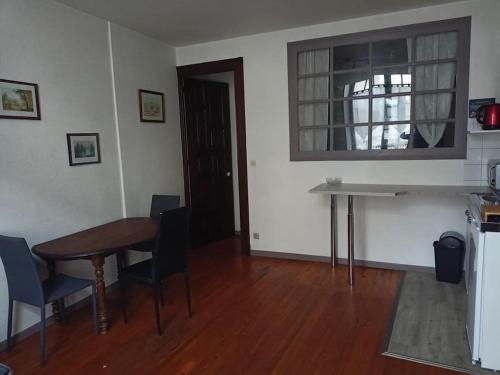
(67,53)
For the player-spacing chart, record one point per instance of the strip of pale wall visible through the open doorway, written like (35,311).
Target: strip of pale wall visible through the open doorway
(228,77)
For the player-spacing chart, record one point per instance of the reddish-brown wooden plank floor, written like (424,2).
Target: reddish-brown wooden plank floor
(250,316)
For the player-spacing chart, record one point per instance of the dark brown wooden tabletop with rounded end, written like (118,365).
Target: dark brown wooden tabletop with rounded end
(102,240)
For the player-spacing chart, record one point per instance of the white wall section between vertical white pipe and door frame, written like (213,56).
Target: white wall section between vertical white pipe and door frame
(151,152)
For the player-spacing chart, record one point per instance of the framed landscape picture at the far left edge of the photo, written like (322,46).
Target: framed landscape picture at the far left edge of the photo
(19,100)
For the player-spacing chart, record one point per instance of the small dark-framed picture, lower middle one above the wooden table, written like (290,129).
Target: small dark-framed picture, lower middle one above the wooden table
(83,148)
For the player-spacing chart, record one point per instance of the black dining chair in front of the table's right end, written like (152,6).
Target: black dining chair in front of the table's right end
(169,257)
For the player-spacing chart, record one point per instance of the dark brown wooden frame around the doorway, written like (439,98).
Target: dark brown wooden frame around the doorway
(229,65)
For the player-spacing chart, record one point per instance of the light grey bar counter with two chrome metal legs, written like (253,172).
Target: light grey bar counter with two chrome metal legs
(374,190)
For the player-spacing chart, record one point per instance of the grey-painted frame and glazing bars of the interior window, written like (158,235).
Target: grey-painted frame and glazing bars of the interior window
(458,151)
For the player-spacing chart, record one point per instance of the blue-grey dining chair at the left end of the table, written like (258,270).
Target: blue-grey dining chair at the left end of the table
(25,285)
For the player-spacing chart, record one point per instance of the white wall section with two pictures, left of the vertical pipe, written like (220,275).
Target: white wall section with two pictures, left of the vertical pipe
(41,197)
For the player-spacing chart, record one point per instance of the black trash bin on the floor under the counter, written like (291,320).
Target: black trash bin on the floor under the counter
(449,256)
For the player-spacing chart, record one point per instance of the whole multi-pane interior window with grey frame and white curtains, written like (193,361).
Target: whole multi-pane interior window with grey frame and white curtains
(398,93)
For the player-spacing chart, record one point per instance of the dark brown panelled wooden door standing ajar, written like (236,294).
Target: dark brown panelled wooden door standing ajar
(208,136)
